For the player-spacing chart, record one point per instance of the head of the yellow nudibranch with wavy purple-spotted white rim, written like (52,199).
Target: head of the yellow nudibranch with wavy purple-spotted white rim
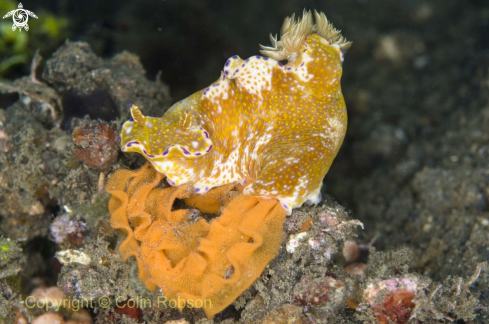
(166,142)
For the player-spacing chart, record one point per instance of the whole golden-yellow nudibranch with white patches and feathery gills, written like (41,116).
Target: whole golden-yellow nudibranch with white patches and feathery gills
(275,126)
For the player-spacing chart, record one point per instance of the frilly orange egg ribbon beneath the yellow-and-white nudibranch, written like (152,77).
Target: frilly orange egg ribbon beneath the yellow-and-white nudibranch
(195,263)
